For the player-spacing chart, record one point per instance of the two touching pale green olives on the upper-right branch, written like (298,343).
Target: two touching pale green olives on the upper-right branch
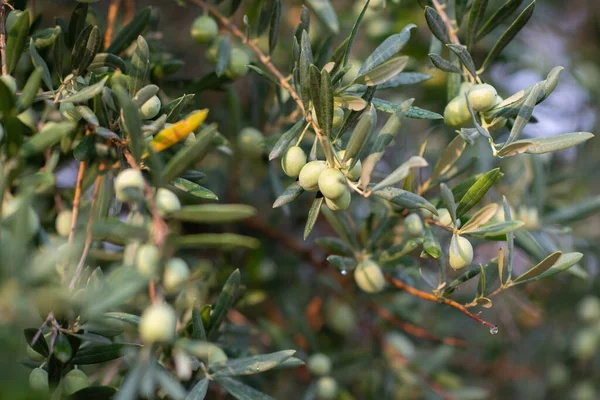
(482,98)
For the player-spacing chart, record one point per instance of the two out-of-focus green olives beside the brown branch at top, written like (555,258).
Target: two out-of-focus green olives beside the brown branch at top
(205,30)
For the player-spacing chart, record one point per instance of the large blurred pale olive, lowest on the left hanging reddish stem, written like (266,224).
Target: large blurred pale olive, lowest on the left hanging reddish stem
(158,323)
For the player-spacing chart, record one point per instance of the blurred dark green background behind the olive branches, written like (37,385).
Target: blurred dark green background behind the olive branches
(544,348)
